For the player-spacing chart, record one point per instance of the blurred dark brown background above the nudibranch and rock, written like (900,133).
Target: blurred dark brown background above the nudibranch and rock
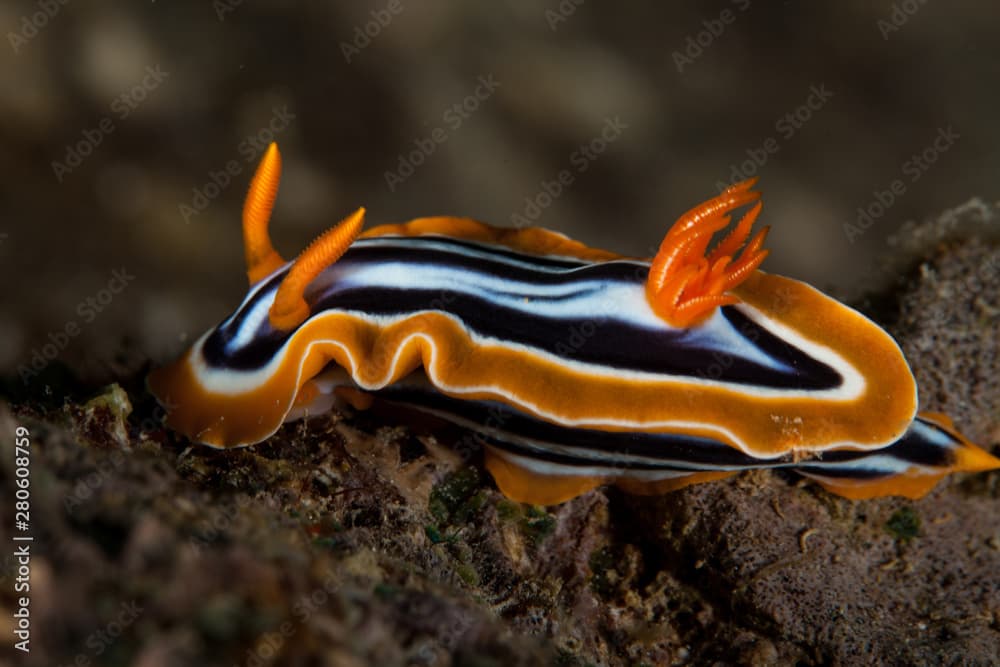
(115,116)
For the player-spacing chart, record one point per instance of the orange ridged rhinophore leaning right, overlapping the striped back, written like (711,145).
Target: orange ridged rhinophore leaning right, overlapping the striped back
(289,308)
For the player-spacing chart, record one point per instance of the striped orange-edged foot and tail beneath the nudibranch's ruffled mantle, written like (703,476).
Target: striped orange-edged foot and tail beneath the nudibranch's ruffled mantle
(541,463)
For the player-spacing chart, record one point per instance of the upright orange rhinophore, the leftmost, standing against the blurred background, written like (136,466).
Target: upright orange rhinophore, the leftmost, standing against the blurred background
(262,259)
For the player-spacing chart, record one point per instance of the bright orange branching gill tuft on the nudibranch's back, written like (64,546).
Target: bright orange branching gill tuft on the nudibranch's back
(685,285)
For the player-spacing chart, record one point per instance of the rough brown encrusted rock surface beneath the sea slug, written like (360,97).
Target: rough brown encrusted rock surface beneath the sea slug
(350,540)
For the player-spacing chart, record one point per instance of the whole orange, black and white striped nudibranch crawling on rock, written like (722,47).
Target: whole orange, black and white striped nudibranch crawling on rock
(577,367)
